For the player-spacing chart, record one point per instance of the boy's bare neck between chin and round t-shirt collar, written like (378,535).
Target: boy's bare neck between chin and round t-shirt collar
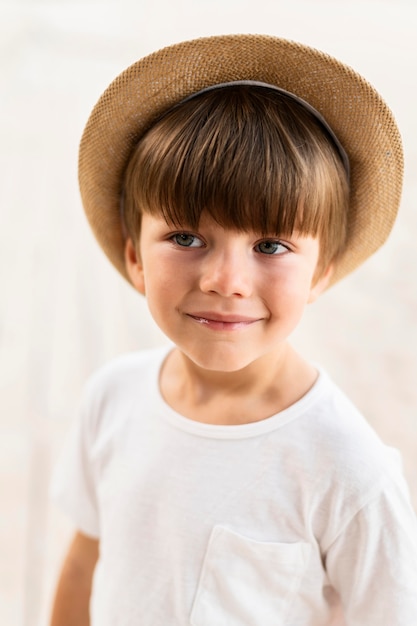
(259,390)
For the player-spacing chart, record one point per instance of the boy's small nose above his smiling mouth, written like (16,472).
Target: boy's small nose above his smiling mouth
(227,271)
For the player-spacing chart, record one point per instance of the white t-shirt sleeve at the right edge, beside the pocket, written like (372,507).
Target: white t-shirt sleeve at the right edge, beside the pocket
(373,561)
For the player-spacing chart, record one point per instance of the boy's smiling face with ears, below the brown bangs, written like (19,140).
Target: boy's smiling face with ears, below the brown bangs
(226,298)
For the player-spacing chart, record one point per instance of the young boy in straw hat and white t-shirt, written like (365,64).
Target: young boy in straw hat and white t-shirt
(226,481)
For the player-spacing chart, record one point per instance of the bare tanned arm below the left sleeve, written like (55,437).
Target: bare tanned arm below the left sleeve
(72,598)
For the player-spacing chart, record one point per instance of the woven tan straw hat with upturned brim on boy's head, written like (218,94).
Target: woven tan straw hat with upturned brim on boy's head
(352,108)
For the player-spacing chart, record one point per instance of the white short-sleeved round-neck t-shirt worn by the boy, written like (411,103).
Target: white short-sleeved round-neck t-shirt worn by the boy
(302,519)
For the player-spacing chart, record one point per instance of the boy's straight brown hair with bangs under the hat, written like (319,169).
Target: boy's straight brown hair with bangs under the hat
(253,158)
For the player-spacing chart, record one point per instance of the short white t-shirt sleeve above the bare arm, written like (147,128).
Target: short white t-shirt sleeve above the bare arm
(73,487)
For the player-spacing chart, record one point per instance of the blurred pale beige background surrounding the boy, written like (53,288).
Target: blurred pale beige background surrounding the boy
(64,311)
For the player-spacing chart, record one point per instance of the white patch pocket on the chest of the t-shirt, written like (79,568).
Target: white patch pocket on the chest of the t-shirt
(247,583)
